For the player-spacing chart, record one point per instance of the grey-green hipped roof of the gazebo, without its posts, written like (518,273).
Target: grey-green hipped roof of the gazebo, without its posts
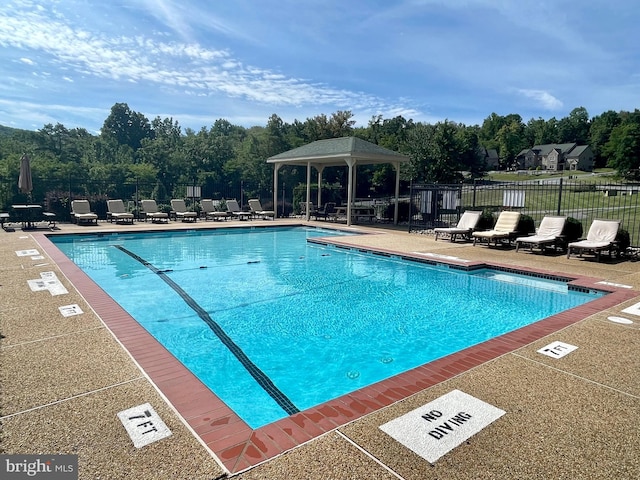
(335,151)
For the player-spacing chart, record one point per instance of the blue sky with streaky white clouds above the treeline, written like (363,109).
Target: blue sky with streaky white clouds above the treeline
(70,61)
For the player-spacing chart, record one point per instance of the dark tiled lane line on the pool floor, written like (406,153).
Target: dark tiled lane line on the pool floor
(263,380)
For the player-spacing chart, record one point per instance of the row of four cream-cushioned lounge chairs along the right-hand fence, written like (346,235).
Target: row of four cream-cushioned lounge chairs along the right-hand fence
(600,238)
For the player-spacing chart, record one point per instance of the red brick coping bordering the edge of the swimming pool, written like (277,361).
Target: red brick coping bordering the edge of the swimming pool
(238,446)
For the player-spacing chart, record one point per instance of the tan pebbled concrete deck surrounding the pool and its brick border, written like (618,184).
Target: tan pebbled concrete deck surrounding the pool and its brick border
(64,379)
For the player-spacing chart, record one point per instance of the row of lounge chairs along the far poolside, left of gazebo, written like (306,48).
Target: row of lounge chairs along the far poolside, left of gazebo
(81,212)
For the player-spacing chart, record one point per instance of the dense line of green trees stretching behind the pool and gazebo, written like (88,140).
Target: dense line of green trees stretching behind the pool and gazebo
(158,156)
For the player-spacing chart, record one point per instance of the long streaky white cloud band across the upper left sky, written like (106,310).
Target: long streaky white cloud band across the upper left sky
(188,66)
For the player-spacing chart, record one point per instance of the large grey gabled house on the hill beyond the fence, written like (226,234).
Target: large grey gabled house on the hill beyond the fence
(556,157)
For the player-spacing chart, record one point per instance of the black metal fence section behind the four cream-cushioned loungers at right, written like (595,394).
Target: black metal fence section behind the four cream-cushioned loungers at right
(435,205)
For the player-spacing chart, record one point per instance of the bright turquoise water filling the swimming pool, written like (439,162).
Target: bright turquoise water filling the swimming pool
(274,324)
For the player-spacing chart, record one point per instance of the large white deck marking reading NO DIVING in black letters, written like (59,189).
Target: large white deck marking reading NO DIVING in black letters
(439,426)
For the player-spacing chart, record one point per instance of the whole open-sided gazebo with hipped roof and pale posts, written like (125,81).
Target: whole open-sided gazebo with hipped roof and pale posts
(345,151)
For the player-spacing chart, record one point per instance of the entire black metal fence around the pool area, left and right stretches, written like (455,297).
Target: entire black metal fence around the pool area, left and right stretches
(430,205)
